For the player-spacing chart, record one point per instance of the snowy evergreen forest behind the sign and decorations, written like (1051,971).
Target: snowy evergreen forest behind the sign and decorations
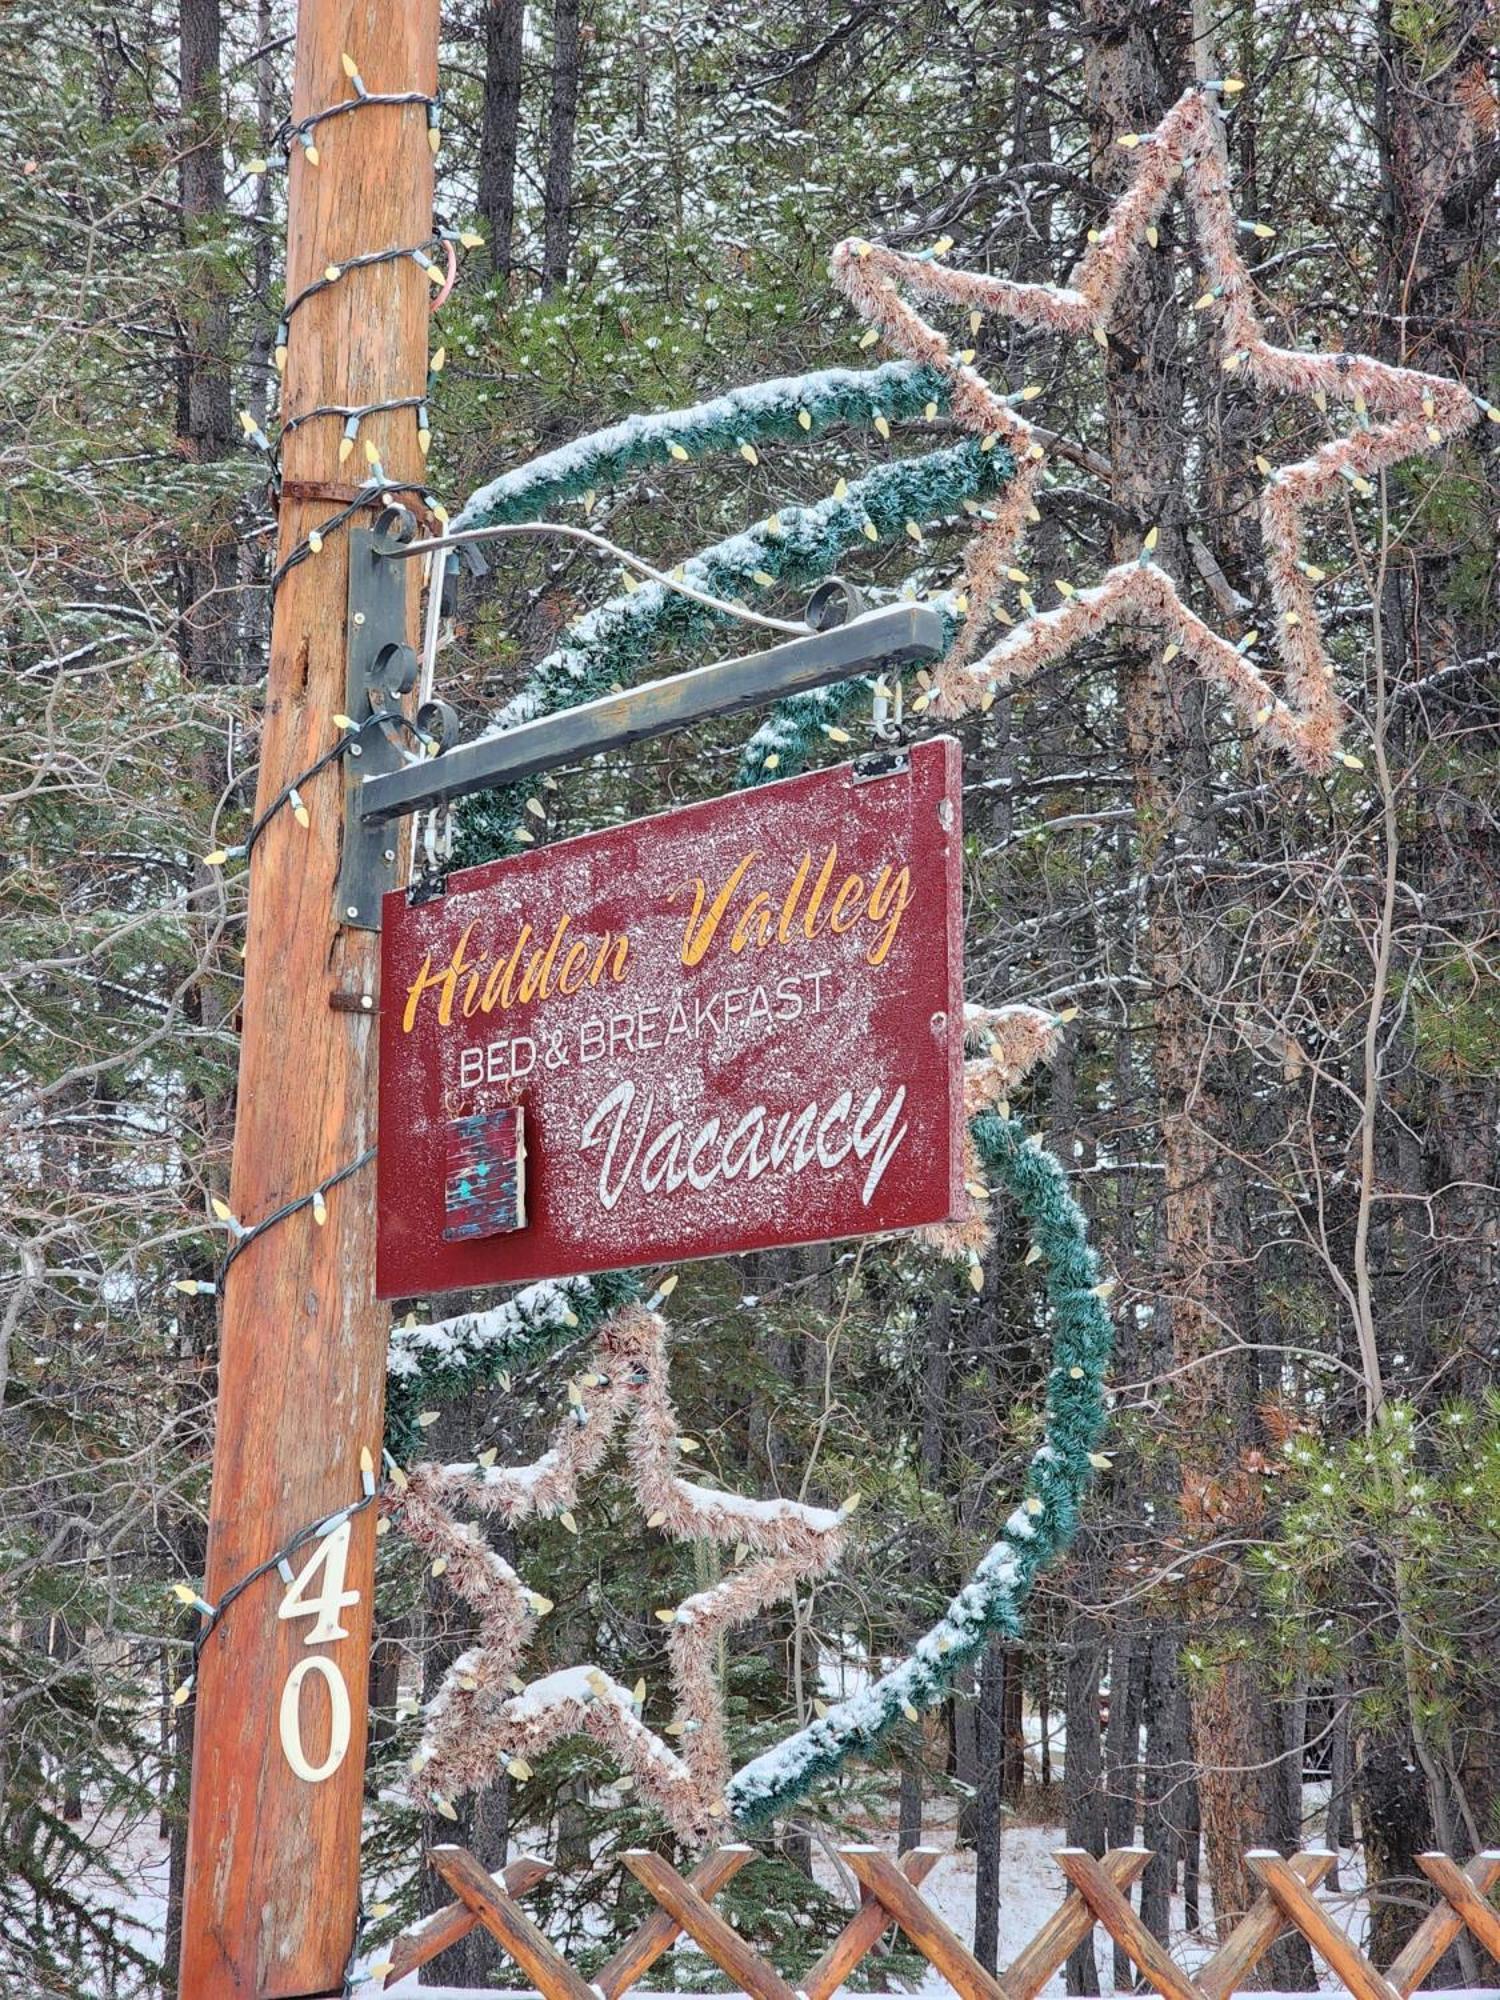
(1279,1099)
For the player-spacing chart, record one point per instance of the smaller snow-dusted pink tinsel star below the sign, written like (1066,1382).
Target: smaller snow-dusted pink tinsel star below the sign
(483,1717)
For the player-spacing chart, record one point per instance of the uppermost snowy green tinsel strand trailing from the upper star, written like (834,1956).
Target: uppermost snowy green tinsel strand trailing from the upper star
(787,407)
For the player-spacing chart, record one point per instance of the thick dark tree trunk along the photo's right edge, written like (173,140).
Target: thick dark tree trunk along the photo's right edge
(1441,155)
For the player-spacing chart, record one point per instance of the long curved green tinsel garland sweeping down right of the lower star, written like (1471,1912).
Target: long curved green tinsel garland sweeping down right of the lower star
(1039,1531)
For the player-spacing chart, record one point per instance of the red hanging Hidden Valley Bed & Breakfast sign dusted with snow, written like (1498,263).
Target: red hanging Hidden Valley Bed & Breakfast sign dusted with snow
(729,1027)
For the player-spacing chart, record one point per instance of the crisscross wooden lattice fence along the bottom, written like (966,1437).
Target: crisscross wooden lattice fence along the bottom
(891,1895)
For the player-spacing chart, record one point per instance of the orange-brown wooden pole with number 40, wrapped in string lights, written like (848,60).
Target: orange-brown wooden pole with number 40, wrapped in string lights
(275,1819)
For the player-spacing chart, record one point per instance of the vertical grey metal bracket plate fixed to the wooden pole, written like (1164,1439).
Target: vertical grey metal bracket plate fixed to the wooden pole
(379,665)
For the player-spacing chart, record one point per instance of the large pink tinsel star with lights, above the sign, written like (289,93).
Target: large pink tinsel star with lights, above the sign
(1399,413)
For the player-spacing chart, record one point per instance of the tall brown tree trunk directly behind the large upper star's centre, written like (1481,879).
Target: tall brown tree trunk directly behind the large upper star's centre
(1135,71)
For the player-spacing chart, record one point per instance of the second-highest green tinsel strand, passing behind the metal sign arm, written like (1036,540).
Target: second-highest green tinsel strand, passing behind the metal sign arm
(613,645)
